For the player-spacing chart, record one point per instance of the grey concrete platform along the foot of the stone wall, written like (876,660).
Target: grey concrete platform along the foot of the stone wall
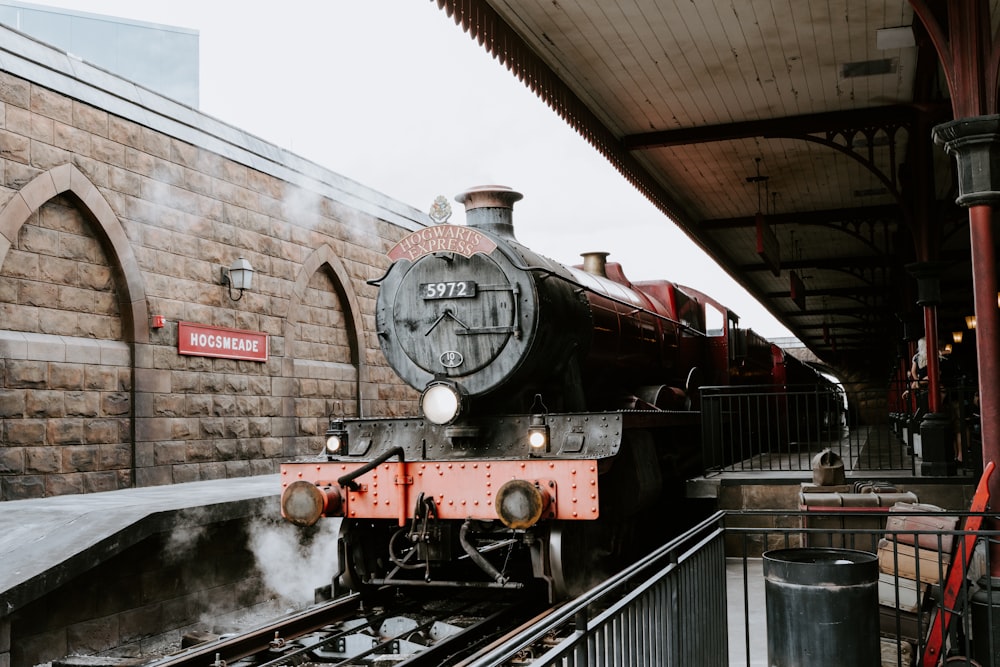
(47,541)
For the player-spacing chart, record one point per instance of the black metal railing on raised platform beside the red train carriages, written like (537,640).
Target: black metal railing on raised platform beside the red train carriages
(747,428)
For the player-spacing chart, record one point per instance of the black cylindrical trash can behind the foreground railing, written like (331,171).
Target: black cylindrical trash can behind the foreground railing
(822,607)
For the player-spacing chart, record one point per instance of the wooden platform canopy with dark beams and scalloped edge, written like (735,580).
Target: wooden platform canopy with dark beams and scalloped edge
(791,140)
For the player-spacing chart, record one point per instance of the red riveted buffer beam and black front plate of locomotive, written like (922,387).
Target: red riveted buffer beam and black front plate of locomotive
(388,463)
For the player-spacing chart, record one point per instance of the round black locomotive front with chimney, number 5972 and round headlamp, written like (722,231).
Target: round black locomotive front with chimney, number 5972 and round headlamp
(476,321)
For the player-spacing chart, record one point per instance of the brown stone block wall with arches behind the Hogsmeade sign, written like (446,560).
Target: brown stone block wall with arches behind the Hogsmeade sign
(106,222)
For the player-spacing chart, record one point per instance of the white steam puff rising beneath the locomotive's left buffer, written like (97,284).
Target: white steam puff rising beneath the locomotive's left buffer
(294,561)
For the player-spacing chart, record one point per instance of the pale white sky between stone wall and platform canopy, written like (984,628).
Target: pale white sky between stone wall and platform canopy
(392,94)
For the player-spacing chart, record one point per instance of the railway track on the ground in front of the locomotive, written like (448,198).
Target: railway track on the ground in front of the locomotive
(383,631)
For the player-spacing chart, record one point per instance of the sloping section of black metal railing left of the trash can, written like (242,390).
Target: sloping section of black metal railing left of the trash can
(667,609)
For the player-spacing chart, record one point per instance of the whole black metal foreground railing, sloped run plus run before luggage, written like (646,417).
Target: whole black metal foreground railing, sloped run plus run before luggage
(701,599)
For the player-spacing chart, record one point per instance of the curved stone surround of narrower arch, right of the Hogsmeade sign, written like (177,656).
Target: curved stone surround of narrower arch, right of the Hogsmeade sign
(322,258)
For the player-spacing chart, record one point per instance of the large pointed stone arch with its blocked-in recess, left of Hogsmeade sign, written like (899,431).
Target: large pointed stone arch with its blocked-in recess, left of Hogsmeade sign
(71,414)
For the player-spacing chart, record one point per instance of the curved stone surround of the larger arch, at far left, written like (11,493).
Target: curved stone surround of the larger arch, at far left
(67,179)
